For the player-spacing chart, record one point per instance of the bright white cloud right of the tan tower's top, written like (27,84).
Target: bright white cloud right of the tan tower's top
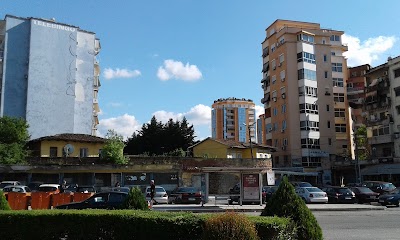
(367,51)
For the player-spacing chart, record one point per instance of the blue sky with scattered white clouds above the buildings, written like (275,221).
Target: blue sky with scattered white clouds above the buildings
(174,58)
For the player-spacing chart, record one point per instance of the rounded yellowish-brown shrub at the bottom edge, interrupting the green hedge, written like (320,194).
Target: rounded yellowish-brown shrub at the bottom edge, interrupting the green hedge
(229,225)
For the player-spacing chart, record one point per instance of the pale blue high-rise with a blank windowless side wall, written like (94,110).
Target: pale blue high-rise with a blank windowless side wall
(49,75)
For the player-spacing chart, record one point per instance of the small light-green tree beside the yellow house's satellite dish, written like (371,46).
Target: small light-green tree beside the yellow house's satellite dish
(113,150)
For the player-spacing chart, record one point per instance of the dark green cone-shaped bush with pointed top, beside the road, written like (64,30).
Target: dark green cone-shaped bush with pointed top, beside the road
(286,203)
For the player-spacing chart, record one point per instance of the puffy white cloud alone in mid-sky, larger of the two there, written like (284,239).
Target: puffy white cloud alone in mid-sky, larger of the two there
(177,70)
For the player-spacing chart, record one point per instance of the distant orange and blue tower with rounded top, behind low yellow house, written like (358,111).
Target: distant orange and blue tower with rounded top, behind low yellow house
(233,119)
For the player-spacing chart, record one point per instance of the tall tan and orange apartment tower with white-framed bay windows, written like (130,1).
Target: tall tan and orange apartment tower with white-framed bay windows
(305,101)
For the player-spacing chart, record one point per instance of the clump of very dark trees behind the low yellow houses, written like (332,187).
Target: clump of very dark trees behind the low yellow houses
(158,139)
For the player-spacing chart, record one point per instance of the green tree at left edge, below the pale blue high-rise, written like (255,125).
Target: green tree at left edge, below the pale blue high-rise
(13,139)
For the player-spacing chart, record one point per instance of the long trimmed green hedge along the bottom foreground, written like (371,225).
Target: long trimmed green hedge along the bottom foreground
(122,224)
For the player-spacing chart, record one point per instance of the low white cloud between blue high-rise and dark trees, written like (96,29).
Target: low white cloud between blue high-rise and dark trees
(124,125)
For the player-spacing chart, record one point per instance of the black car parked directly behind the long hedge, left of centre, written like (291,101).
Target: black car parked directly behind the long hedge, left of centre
(102,200)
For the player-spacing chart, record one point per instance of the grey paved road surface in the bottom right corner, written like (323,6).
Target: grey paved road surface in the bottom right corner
(360,225)
